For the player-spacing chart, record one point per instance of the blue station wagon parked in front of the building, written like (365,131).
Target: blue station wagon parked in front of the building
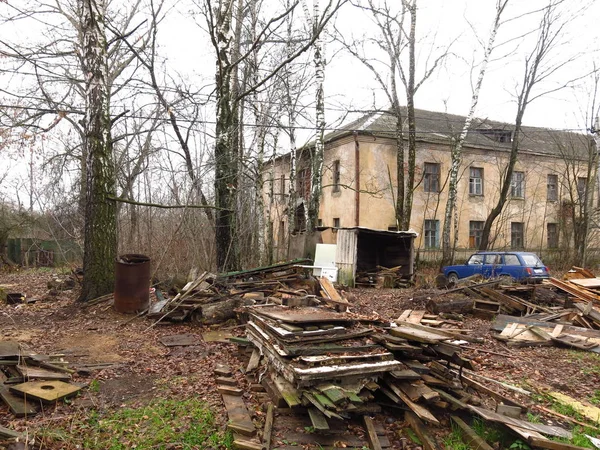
(518,266)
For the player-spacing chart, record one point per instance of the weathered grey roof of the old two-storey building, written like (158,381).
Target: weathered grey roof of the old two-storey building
(438,127)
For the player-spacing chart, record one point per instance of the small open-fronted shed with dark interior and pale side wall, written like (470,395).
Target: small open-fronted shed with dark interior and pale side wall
(362,249)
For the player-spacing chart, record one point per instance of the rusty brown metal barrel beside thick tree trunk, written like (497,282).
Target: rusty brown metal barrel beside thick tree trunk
(132,283)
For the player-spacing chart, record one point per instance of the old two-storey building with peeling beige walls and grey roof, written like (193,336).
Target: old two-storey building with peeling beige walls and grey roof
(359,182)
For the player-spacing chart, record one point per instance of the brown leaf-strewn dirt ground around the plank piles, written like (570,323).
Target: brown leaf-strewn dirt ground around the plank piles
(145,369)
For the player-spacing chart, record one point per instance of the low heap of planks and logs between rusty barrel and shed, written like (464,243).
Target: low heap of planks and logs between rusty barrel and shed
(210,299)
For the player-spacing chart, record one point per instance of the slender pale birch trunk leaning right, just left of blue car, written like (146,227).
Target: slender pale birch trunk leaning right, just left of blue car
(456,156)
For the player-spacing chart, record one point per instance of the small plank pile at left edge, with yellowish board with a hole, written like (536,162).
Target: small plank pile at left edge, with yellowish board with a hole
(28,379)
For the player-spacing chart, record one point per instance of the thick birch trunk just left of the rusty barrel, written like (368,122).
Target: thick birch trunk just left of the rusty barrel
(100,245)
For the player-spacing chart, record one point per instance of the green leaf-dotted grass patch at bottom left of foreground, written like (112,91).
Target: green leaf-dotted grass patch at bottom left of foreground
(186,424)
